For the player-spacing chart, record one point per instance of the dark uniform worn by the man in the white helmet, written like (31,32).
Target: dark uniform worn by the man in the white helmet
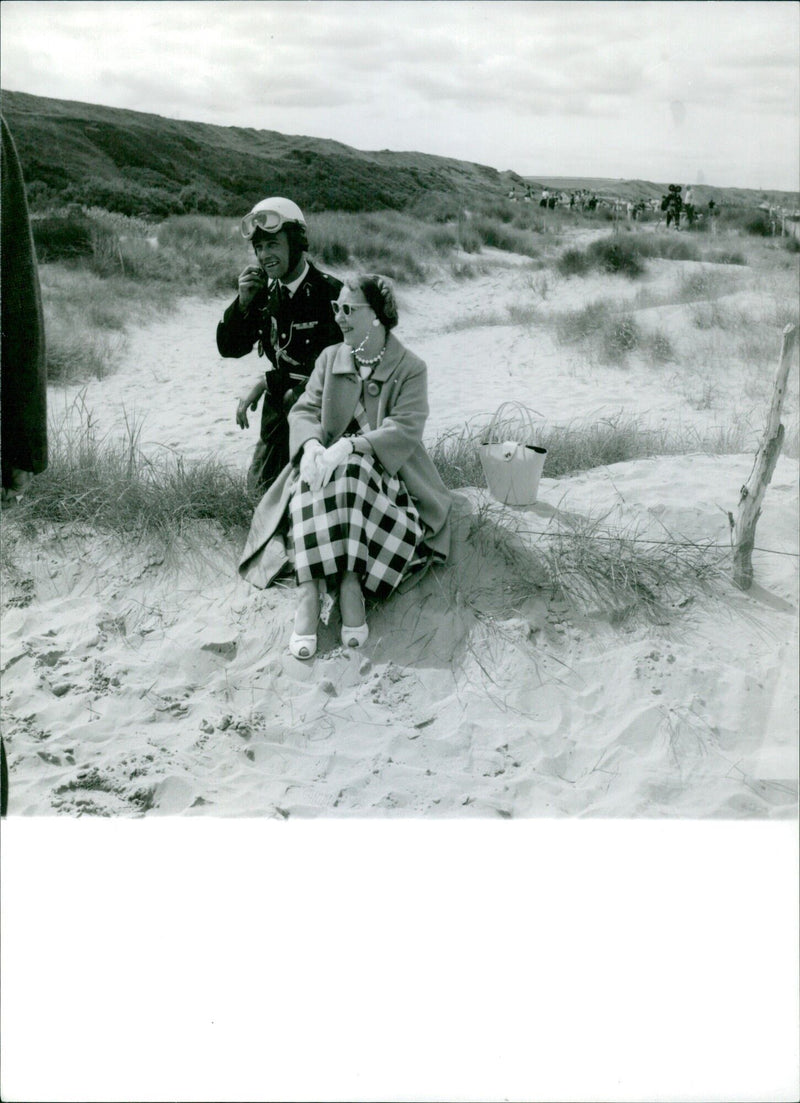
(291,333)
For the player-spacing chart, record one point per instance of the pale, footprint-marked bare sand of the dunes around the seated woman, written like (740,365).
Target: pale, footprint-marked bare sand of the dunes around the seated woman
(133,686)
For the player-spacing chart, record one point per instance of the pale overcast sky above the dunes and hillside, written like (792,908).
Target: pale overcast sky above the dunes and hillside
(687,92)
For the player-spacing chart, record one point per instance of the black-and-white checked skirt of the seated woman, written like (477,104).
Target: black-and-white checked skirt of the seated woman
(362,521)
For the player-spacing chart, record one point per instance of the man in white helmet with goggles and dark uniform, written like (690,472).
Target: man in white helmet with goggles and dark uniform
(284,306)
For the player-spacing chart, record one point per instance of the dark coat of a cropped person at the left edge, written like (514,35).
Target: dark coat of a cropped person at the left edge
(25,369)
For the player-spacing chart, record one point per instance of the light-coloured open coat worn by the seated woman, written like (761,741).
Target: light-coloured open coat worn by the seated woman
(397,415)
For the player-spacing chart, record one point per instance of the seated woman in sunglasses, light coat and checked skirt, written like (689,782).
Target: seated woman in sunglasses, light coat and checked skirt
(360,504)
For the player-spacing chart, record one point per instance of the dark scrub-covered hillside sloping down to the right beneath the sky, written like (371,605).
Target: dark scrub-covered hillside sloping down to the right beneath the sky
(140,164)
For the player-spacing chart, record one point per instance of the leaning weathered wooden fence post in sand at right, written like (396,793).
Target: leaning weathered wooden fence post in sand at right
(766,458)
